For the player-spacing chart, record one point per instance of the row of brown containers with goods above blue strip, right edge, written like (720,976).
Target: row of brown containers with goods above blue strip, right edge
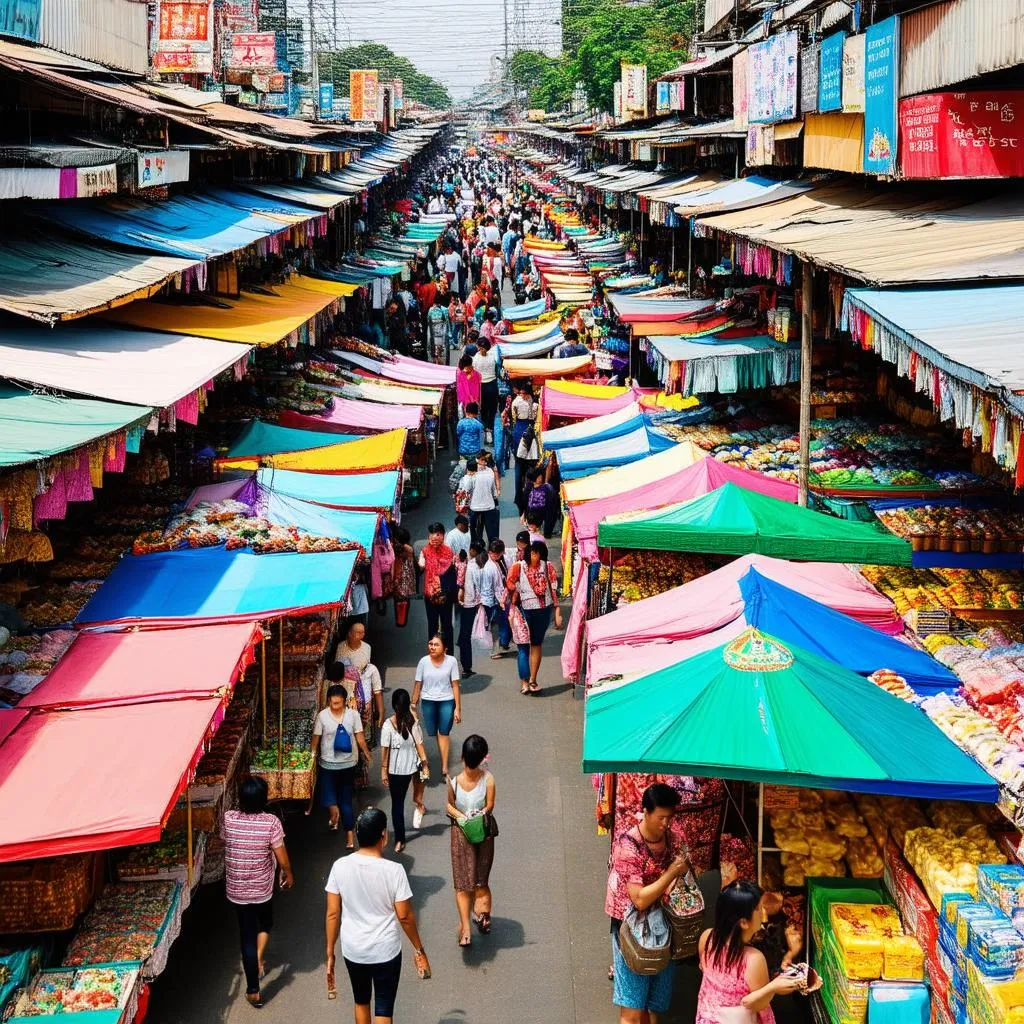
(956,529)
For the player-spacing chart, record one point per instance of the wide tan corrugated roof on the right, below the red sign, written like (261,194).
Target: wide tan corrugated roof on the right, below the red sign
(890,237)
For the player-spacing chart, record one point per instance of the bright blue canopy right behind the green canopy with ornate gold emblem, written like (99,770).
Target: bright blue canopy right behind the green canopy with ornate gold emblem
(794,619)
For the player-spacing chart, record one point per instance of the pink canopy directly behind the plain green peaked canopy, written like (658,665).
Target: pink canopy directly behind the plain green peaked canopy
(701,479)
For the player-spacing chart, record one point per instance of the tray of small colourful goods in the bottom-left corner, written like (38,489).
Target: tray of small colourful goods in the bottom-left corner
(62,991)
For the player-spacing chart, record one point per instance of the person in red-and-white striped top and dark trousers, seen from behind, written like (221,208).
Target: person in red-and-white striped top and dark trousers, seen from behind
(254,846)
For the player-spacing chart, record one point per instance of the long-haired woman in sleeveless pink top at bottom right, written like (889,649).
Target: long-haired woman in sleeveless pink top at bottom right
(736,986)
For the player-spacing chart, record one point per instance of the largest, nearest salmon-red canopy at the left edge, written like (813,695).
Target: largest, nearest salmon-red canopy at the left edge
(96,779)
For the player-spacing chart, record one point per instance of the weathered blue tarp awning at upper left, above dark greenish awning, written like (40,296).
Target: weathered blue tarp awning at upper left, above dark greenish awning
(184,226)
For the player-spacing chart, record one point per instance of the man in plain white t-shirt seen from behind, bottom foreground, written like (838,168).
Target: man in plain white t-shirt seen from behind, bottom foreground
(370,904)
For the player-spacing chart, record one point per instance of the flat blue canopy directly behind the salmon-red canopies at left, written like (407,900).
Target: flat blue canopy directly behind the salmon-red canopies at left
(218,585)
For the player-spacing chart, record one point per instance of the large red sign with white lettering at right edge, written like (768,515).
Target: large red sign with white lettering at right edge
(963,136)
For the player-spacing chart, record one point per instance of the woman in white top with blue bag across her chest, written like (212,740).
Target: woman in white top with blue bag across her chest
(337,742)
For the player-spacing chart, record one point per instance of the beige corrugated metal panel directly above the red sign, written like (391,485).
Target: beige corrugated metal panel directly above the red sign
(958,40)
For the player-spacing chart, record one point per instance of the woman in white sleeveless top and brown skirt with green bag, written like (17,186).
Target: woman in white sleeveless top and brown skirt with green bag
(471,795)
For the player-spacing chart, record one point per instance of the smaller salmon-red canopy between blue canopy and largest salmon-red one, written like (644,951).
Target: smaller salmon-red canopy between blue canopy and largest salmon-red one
(149,665)
